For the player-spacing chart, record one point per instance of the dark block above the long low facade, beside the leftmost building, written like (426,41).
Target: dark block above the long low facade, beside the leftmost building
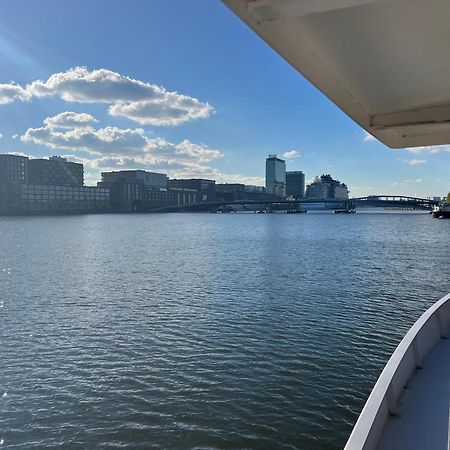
(55,171)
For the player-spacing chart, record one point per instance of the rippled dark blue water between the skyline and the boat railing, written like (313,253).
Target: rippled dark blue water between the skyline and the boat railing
(205,331)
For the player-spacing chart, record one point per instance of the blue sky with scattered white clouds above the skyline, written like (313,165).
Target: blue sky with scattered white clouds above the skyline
(183,88)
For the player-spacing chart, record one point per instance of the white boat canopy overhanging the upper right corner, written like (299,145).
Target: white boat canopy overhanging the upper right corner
(386,63)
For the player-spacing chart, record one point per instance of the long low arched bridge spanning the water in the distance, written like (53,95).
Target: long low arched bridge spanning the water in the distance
(371,201)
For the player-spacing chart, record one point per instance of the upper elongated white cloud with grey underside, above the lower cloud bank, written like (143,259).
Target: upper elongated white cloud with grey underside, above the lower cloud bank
(141,102)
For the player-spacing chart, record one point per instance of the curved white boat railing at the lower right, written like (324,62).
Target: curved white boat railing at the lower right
(429,329)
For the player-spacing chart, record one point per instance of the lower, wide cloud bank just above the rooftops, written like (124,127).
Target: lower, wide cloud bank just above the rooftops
(112,148)
